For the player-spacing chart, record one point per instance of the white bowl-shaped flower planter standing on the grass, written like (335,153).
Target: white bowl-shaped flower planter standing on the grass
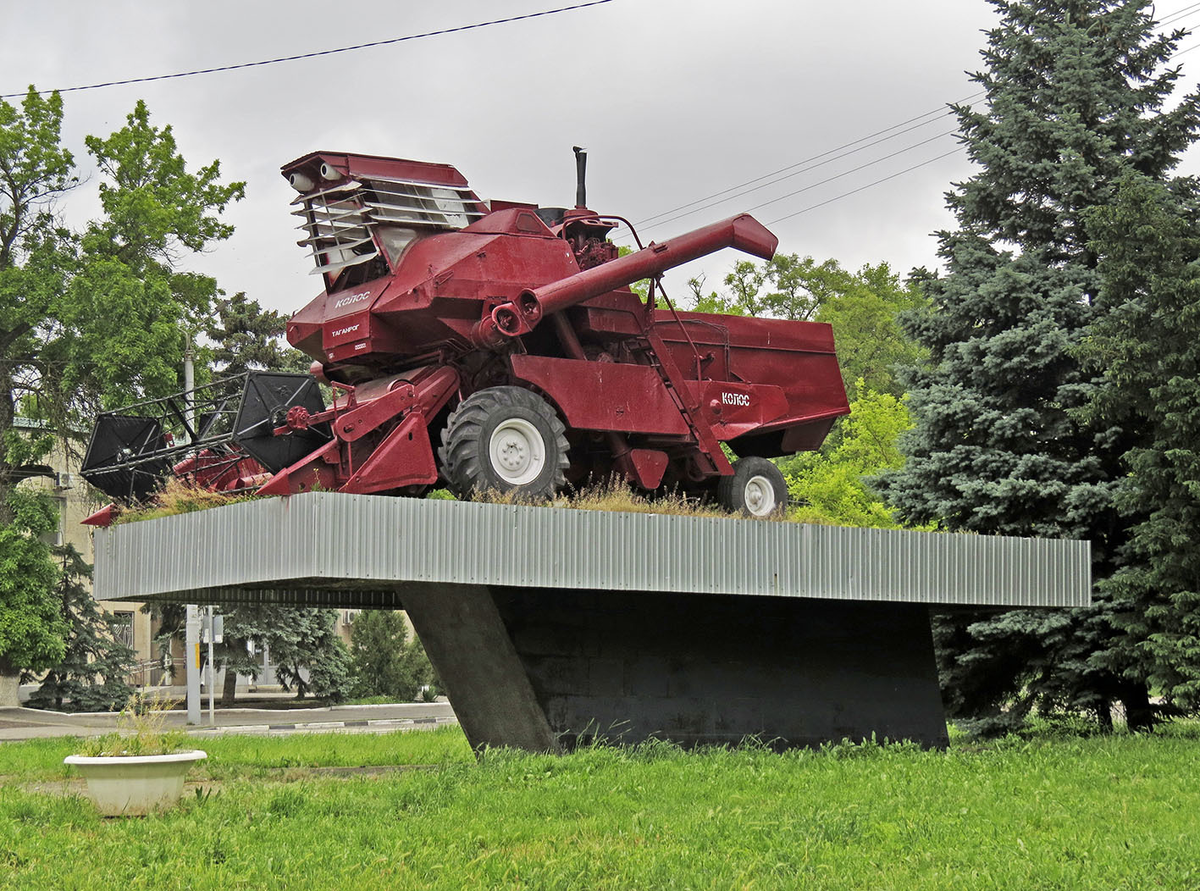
(133,786)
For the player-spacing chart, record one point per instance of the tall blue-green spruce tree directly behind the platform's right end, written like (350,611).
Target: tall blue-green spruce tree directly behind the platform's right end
(1077,97)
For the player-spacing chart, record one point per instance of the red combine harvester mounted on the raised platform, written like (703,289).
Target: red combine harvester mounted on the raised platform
(490,346)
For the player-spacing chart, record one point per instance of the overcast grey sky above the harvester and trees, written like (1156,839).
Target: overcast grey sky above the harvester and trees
(808,104)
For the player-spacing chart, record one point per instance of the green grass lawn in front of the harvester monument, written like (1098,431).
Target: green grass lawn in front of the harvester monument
(1120,812)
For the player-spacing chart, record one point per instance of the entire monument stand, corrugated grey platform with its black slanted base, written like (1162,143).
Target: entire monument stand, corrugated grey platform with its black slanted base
(550,627)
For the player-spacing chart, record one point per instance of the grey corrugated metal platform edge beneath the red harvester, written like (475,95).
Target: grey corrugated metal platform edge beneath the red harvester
(321,547)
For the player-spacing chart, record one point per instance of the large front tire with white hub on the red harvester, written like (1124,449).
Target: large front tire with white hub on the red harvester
(505,439)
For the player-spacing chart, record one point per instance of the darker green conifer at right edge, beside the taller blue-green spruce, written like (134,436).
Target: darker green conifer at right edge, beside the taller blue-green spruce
(1148,354)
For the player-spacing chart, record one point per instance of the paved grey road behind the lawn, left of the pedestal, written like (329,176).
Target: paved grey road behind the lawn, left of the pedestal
(35,723)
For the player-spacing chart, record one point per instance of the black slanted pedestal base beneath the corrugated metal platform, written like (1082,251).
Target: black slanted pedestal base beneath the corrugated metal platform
(530,667)
